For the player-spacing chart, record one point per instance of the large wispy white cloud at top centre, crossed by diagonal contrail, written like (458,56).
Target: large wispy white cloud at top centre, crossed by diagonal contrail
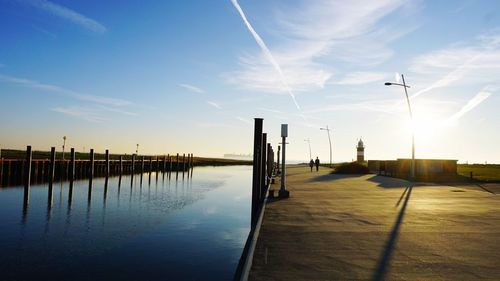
(314,34)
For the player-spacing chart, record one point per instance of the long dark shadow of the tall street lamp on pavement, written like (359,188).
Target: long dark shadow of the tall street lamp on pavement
(385,257)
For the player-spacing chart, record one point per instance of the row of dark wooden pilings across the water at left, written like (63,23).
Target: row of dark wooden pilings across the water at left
(29,170)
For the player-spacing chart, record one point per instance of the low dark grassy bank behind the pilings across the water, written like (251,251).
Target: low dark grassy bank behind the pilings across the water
(198,161)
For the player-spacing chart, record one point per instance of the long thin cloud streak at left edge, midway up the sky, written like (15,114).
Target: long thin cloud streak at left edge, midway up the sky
(62,91)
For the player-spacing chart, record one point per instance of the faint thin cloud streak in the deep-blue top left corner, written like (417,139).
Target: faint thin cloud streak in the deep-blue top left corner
(67,14)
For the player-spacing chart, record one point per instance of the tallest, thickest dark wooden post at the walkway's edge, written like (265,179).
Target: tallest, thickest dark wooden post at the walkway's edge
(257,141)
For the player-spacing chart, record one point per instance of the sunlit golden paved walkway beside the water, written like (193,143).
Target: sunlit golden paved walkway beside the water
(378,228)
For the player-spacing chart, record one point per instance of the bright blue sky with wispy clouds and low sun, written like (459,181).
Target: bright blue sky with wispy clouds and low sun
(190,76)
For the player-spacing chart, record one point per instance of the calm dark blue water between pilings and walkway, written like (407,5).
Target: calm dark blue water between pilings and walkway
(185,229)
